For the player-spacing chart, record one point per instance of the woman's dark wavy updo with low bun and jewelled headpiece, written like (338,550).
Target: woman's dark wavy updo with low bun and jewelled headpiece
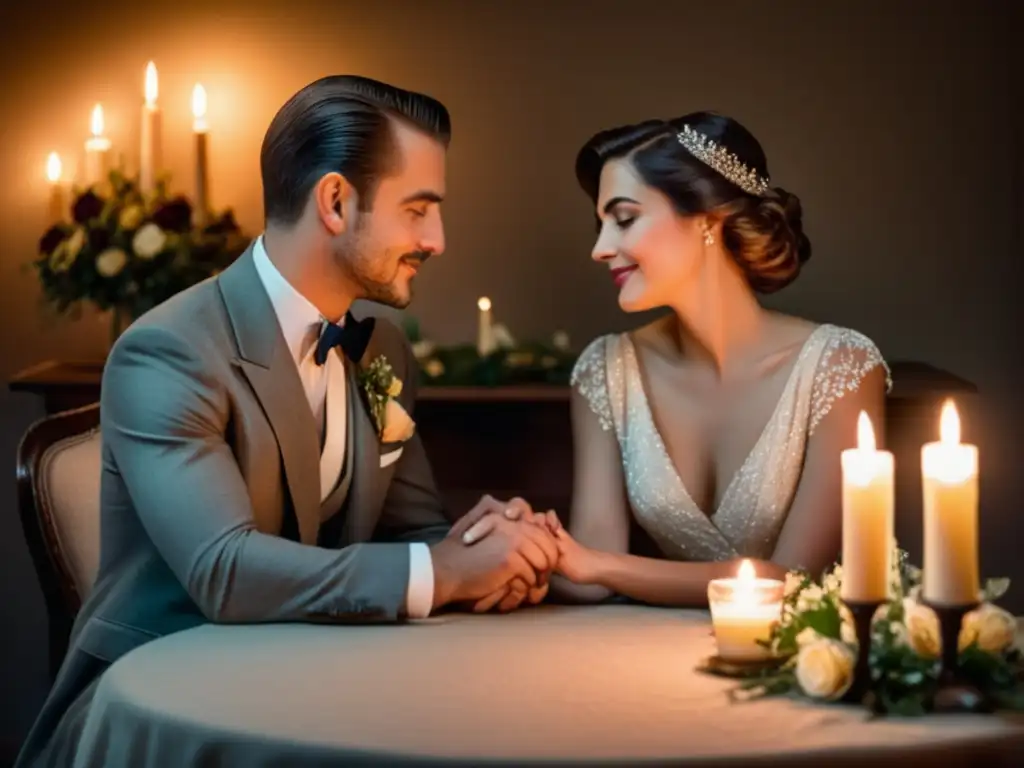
(762,227)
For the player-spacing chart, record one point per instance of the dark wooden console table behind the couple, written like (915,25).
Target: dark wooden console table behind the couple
(518,441)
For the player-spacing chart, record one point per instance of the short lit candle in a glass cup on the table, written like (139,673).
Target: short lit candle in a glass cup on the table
(743,612)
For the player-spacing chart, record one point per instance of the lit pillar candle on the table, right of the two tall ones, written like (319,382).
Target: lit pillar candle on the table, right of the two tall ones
(950,473)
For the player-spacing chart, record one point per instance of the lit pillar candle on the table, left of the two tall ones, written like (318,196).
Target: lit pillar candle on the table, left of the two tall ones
(869,503)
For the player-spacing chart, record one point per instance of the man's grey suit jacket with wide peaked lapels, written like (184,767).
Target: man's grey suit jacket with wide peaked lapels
(210,458)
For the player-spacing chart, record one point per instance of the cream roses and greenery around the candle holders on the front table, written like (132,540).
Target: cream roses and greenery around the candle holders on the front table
(817,644)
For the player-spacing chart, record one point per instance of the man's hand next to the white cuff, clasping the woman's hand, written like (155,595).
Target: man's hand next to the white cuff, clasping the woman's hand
(509,550)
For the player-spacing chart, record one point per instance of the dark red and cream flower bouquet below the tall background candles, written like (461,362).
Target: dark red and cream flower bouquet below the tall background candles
(127,251)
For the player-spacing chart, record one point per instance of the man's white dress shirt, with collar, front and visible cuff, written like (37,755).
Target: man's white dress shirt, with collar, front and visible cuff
(326,391)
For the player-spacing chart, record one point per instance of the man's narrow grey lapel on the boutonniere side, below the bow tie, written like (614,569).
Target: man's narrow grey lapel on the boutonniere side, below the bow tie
(362,516)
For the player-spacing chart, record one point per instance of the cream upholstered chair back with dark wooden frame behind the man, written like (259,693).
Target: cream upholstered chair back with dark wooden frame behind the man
(59,471)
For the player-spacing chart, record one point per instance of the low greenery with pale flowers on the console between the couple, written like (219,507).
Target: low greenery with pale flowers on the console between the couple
(511,363)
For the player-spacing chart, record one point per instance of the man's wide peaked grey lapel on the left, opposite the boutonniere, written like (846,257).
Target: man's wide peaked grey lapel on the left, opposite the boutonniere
(268,365)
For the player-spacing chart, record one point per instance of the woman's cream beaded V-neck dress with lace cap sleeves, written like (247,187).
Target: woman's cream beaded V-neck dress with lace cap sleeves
(832,363)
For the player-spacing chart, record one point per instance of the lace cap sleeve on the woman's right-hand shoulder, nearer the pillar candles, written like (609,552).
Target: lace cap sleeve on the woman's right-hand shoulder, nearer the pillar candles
(847,359)
